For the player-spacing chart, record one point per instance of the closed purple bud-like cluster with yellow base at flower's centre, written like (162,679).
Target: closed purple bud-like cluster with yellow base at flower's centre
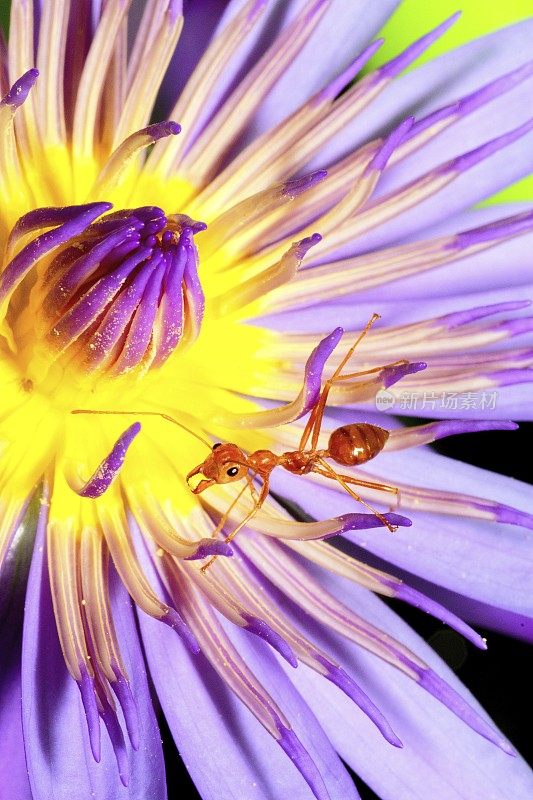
(119,297)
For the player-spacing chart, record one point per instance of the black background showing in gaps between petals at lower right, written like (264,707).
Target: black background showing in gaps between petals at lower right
(507,664)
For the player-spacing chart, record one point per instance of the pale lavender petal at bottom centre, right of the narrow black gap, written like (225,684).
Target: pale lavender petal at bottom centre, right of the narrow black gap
(205,717)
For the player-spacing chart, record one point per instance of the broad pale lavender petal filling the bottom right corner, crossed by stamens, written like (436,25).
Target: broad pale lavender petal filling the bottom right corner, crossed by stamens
(441,758)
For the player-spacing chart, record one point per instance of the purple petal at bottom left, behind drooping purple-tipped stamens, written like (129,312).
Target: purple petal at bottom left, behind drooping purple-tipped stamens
(59,765)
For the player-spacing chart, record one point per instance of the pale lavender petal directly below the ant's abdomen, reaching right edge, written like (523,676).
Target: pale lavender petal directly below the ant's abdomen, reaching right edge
(437,547)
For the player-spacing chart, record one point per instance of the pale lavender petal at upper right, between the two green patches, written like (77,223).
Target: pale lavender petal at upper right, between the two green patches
(446,78)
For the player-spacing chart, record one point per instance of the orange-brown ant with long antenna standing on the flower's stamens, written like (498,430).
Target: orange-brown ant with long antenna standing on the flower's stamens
(349,445)
